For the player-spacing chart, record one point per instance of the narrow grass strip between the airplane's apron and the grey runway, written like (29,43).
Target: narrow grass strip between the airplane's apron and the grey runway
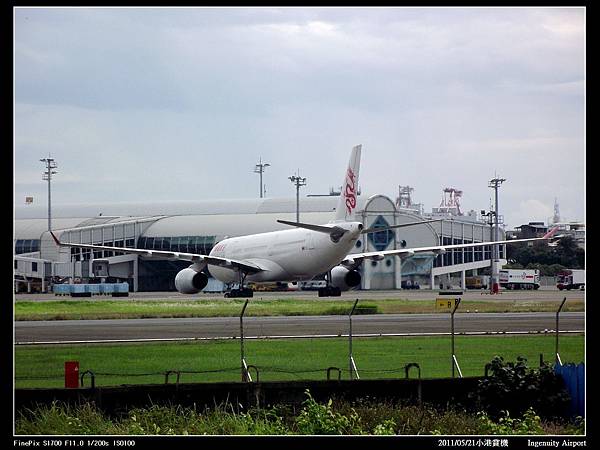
(132,309)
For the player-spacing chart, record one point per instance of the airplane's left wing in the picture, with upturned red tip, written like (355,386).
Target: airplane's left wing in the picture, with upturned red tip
(244,266)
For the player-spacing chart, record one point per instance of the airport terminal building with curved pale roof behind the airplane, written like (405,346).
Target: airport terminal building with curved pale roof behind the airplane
(196,227)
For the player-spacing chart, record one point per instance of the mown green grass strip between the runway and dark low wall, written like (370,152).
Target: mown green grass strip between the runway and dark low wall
(285,359)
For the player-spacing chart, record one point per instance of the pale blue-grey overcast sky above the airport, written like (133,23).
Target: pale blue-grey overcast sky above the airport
(137,104)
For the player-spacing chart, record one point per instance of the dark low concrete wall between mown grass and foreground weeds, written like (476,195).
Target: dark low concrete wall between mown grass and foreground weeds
(444,391)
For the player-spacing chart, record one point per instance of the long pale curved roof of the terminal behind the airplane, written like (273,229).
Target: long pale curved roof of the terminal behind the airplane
(219,217)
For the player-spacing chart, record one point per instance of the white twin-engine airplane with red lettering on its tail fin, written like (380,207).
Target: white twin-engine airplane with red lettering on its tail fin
(296,254)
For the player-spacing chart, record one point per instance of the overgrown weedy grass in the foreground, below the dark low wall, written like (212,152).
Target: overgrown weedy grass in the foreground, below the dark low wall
(343,418)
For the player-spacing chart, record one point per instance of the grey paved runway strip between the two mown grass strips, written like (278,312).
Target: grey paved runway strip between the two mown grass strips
(229,327)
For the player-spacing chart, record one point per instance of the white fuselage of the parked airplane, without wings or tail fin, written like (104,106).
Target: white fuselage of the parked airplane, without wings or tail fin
(289,255)
